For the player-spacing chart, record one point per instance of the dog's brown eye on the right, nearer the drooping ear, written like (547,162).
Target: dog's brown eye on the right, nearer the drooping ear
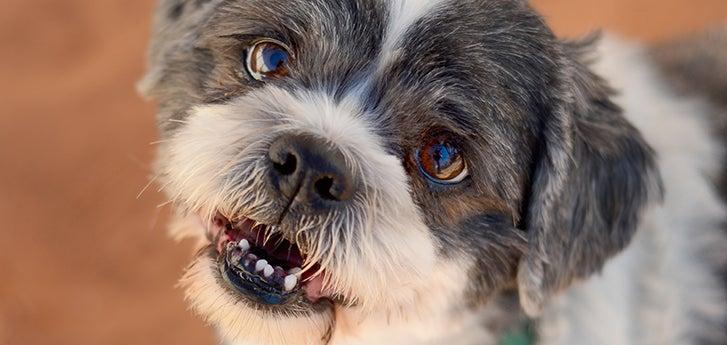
(440,160)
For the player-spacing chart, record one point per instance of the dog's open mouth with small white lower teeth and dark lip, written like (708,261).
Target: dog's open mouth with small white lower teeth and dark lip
(264,266)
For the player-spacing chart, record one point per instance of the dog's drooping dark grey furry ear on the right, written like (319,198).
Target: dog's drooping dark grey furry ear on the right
(594,175)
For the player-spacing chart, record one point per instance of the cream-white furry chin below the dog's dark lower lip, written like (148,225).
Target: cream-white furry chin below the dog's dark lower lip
(242,317)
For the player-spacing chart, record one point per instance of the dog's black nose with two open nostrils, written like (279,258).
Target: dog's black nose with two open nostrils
(310,170)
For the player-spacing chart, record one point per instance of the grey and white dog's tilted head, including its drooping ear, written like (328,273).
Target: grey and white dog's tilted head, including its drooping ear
(405,158)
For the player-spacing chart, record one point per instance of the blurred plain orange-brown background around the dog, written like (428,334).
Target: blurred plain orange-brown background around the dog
(82,259)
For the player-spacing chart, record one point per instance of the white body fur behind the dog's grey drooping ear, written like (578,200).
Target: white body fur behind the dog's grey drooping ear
(660,290)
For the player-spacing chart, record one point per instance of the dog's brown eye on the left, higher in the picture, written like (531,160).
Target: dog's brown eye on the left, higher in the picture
(267,59)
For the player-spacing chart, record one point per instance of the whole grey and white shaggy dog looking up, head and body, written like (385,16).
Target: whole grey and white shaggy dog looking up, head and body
(438,172)
